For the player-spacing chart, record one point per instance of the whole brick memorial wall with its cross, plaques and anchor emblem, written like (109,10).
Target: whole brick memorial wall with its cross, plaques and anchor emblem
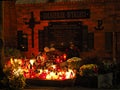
(43,23)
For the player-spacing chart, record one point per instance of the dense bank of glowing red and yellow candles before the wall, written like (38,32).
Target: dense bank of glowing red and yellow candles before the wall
(53,72)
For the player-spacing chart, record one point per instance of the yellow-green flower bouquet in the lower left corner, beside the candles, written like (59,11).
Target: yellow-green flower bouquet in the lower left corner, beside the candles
(14,78)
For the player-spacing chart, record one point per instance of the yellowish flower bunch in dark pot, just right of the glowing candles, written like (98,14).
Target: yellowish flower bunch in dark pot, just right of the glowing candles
(87,73)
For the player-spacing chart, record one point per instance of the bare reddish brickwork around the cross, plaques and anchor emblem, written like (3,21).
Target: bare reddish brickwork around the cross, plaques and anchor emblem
(99,11)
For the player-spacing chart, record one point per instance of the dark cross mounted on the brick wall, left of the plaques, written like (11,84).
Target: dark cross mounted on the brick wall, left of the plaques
(32,24)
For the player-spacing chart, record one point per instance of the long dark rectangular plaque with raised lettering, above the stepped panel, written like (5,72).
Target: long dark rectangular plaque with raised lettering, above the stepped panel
(65,14)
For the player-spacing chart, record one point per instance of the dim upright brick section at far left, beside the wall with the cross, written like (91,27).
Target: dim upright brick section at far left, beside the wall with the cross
(9,24)
